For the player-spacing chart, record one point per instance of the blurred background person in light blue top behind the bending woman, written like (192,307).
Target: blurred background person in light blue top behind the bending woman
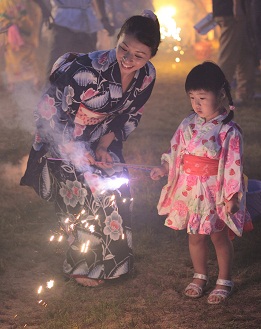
(75,26)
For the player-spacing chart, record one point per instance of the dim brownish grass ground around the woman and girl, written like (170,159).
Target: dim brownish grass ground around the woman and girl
(152,298)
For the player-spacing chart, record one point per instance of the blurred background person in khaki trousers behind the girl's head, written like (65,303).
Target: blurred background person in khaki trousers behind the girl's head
(237,55)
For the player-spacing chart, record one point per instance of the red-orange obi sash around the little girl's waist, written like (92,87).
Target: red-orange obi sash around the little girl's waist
(200,166)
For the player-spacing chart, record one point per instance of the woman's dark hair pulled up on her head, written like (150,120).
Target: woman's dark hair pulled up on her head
(145,29)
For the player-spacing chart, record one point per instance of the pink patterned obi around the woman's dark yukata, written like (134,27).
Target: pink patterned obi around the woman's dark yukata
(87,117)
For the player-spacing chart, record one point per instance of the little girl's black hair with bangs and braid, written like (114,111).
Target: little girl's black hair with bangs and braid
(209,76)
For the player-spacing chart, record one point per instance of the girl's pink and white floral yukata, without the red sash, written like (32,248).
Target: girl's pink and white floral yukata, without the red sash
(197,202)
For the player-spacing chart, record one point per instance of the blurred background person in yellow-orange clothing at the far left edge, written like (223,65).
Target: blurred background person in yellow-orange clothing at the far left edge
(20,21)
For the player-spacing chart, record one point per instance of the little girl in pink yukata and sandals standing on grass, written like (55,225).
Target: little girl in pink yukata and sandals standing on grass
(205,192)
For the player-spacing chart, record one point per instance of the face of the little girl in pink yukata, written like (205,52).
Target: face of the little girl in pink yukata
(206,104)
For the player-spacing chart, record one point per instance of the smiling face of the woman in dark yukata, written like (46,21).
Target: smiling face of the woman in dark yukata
(131,54)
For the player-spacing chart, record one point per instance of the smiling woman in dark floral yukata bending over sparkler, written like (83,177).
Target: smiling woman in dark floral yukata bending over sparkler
(95,101)
